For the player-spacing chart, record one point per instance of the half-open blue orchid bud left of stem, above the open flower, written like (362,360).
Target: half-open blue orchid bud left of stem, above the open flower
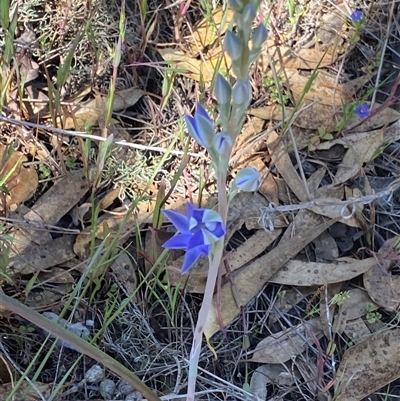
(201,127)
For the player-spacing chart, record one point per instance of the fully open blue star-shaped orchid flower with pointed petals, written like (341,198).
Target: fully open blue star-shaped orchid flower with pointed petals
(198,230)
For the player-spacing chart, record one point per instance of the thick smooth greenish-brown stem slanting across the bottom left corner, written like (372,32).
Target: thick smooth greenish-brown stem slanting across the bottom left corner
(81,345)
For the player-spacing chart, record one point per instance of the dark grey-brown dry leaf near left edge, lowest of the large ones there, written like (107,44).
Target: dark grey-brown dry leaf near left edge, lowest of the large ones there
(41,257)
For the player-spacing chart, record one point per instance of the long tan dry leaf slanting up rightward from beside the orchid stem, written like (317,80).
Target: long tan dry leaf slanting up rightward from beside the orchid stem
(250,280)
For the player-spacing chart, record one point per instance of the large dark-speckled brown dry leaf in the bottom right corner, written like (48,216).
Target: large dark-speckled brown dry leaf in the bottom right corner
(368,366)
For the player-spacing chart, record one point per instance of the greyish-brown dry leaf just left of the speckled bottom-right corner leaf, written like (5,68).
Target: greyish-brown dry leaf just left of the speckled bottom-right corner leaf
(287,344)
